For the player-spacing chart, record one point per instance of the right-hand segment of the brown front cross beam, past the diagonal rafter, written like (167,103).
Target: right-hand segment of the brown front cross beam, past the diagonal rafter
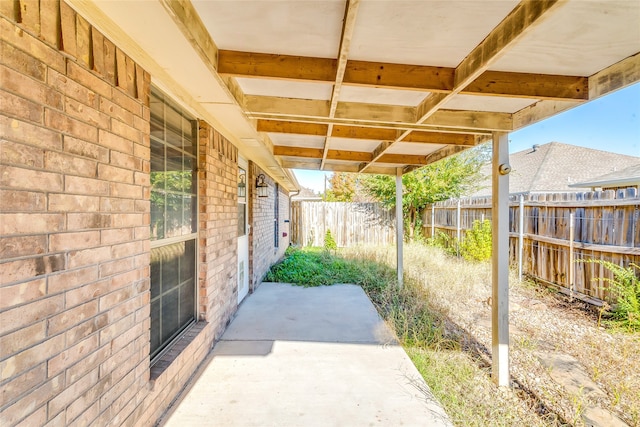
(524,85)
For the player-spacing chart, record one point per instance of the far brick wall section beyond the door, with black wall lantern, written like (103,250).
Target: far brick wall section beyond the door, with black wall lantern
(262,250)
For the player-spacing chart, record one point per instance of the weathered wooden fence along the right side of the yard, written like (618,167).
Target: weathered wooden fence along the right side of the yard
(556,233)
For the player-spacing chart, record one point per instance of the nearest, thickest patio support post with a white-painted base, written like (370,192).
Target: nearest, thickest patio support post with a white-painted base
(500,259)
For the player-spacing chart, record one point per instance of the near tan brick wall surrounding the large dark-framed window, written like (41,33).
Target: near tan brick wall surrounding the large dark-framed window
(74,226)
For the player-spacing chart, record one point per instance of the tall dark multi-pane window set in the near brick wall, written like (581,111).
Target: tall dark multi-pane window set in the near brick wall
(173,221)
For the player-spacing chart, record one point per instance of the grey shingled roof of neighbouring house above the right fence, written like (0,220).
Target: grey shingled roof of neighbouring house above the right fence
(555,166)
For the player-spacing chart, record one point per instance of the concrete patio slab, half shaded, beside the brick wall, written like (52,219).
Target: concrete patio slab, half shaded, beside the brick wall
(298,356)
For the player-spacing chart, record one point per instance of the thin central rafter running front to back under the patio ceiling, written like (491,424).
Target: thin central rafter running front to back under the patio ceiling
(349,23)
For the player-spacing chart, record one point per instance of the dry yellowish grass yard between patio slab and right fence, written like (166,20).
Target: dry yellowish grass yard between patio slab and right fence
(457,367)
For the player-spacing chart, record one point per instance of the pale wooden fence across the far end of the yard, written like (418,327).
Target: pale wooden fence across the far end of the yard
(350,223)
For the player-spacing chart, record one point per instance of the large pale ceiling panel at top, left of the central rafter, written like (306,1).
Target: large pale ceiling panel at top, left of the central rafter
(306,28)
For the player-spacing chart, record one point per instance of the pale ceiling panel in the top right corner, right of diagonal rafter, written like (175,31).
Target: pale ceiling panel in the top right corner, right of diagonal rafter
(601,33)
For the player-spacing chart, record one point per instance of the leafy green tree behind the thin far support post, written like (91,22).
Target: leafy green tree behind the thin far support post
(445,179)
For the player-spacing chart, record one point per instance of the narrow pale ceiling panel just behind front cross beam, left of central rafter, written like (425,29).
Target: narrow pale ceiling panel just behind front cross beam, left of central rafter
(285,89)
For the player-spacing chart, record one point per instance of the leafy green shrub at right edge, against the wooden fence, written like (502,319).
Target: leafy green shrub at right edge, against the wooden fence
(625,291)
